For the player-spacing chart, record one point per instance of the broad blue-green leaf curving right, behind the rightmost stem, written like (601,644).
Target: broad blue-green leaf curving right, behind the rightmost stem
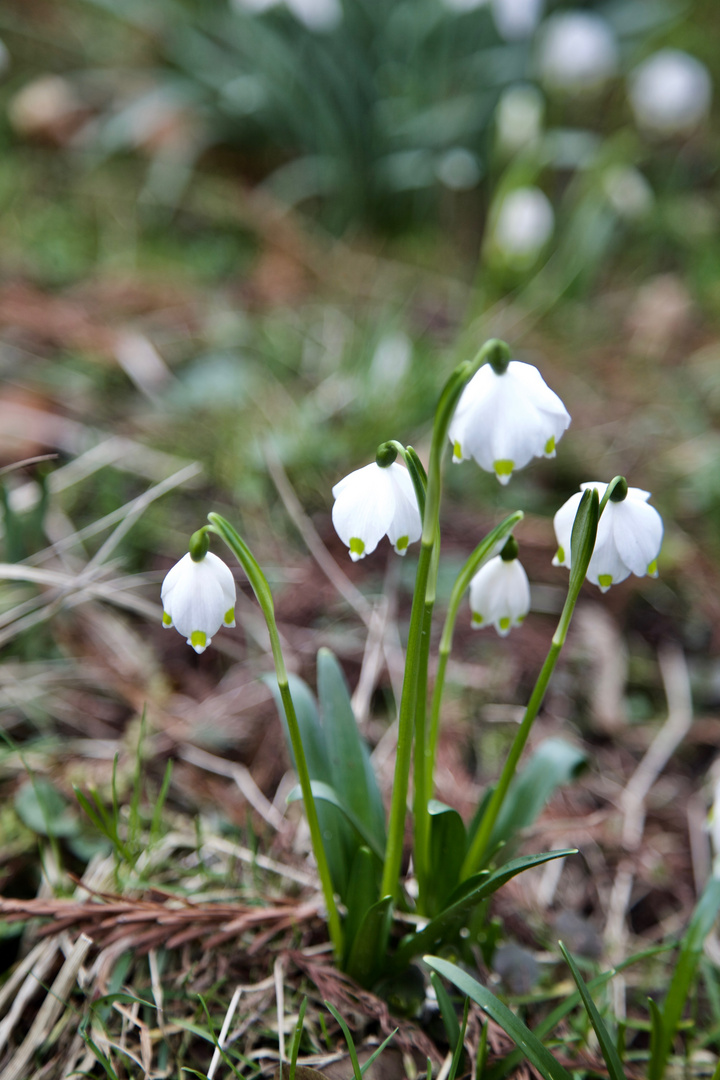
(554,763)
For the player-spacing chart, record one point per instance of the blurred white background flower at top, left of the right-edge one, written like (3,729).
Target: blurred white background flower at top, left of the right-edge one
(578,51)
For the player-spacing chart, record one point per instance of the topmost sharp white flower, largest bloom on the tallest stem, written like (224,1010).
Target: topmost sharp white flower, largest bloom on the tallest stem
(506,421)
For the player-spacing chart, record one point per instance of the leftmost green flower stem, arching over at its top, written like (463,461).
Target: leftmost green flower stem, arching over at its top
(264,596)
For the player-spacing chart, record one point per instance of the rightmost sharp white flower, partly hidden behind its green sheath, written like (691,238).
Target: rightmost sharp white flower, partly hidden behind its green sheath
(629,539)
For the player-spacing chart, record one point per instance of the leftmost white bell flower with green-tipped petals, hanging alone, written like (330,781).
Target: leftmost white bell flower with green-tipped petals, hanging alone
(199,599)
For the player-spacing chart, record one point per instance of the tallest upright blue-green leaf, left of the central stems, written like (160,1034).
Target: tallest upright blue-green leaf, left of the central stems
(348,754)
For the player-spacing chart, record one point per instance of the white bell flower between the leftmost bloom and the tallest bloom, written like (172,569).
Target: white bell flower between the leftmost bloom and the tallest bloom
(373,503)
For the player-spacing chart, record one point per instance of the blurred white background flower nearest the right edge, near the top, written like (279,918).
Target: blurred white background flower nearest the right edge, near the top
(671,92)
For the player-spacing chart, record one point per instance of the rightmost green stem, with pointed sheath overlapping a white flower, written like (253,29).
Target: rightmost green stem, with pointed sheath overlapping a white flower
(585,533)
